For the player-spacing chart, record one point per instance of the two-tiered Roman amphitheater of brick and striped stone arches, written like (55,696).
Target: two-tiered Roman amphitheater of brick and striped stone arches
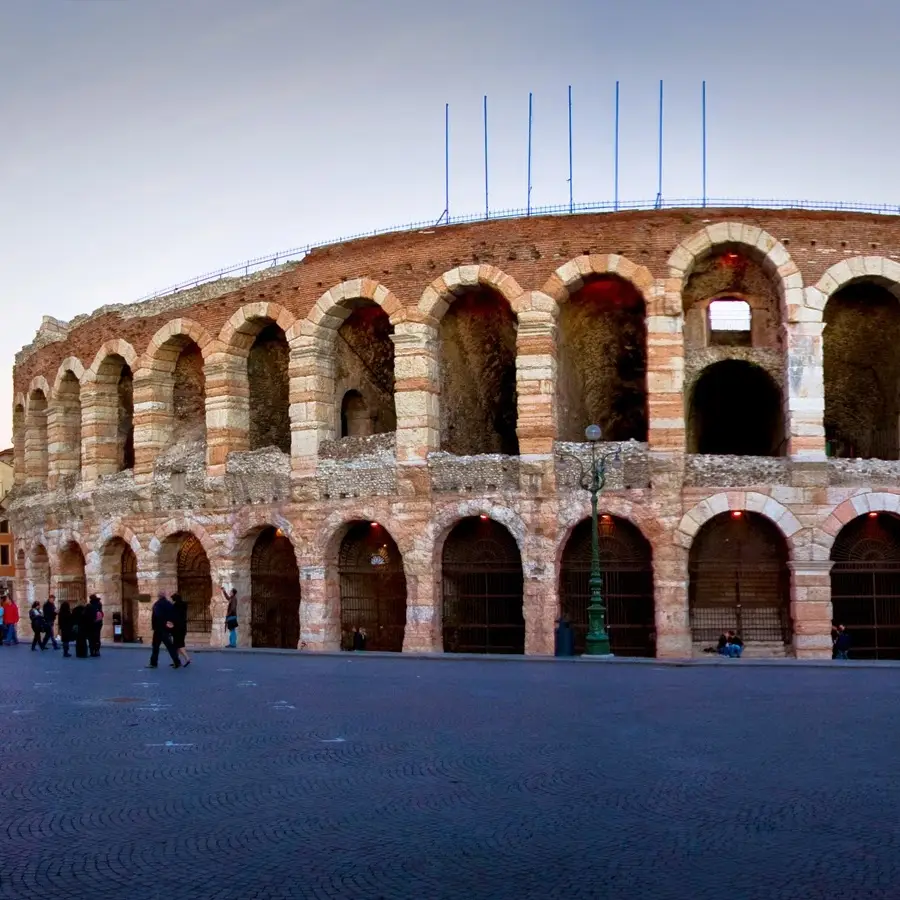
(389,434)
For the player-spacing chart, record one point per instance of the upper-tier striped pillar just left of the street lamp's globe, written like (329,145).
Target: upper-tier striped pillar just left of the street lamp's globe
(536,424)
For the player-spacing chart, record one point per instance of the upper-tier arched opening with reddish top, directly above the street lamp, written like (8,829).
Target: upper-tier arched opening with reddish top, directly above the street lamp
(603,361)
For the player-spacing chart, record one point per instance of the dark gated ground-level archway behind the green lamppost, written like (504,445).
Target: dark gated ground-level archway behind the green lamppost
(626,566)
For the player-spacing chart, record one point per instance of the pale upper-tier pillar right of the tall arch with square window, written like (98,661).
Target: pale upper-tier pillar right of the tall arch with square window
(804,394)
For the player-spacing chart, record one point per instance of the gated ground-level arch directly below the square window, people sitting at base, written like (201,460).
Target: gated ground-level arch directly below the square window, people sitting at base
(739,580)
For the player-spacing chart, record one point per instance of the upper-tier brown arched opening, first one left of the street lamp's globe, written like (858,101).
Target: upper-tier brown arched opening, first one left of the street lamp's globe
(478,375)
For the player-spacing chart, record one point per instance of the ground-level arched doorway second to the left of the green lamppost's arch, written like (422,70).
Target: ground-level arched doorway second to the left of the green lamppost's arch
(373,588)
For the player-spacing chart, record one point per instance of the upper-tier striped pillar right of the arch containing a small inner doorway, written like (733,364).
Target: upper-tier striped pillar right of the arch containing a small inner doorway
(416,387)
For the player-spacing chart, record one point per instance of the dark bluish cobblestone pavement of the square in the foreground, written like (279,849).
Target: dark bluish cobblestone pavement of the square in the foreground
(276,777)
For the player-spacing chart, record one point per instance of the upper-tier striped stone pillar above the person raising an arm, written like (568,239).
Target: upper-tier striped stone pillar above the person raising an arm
(227,408)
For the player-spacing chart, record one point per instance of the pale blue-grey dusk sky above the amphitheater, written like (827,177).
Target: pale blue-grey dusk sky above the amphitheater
(148,141)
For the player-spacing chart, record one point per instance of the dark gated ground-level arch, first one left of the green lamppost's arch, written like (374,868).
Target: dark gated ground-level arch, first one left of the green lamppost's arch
(482,589)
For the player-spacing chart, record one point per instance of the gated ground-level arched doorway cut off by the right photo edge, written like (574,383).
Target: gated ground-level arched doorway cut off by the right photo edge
(865,585)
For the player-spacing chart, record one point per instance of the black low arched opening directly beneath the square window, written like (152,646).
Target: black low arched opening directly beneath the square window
(736,410)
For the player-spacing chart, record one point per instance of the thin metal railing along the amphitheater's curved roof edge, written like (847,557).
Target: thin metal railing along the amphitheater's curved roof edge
(295,254)
